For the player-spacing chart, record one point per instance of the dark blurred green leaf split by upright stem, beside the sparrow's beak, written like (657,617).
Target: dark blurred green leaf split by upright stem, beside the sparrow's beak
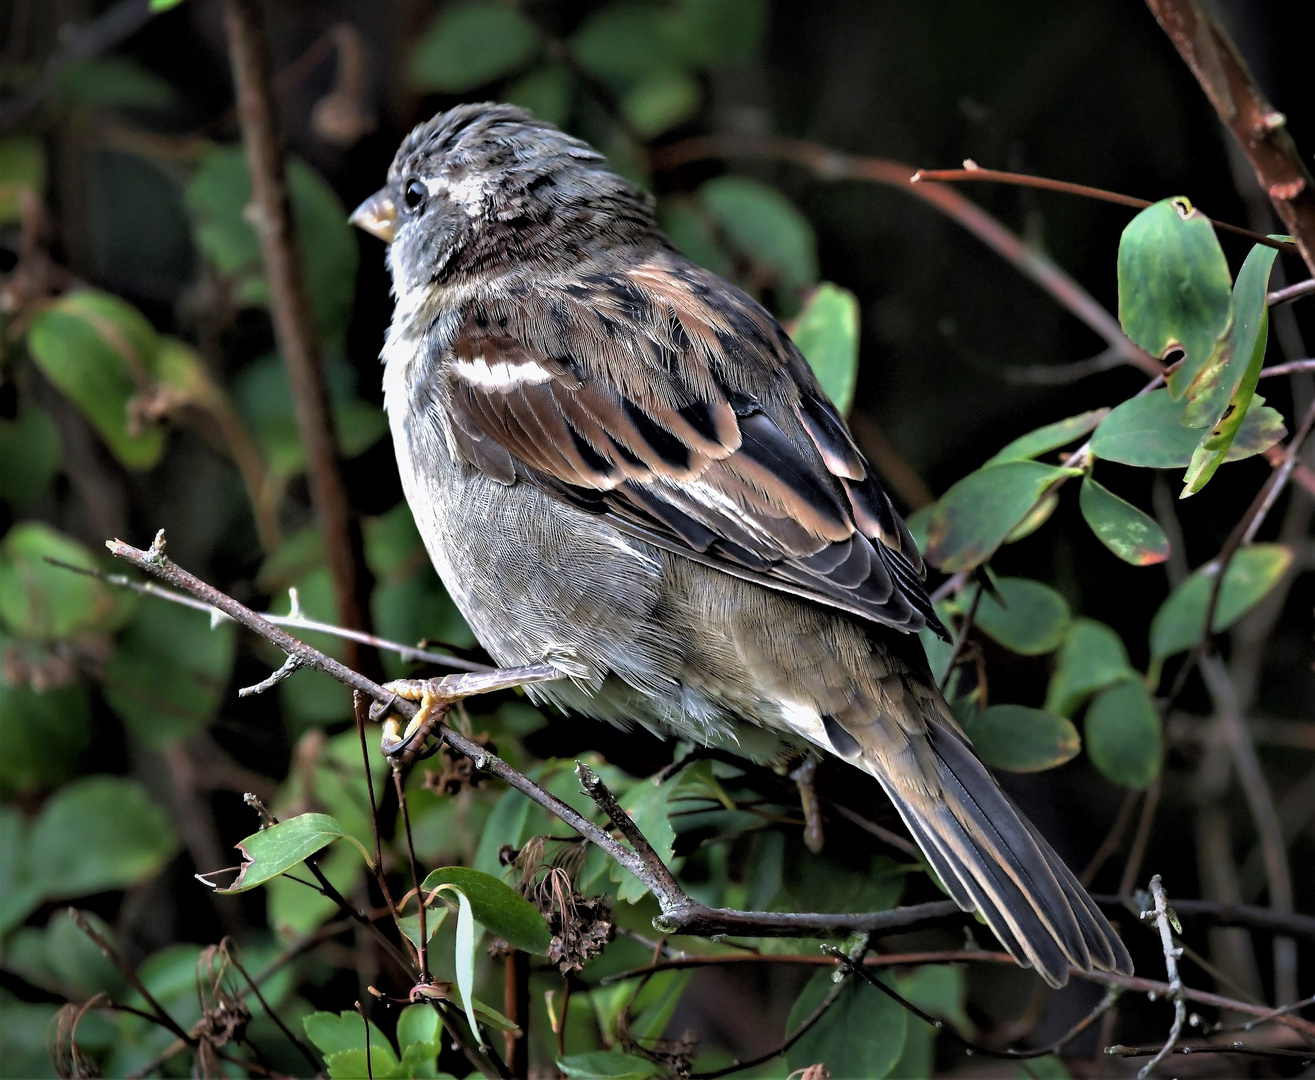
(218,198)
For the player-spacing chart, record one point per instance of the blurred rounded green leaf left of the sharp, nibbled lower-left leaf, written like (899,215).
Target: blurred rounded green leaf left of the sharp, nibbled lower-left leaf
(97,835)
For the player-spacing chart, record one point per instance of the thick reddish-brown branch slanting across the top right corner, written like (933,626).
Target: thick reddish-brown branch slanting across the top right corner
(1260,130)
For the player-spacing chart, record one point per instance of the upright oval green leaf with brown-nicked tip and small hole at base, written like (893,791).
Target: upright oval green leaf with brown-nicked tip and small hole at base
(1175,290)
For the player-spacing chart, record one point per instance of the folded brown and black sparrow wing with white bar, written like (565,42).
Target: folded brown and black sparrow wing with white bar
(677,408)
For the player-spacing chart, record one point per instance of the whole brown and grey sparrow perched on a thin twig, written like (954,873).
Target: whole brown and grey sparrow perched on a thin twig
(624,468)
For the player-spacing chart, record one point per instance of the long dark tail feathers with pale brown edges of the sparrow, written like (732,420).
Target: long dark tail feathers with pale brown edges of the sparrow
(991,857)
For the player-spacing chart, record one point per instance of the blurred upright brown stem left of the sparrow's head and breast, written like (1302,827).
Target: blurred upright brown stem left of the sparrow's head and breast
(294,324)
